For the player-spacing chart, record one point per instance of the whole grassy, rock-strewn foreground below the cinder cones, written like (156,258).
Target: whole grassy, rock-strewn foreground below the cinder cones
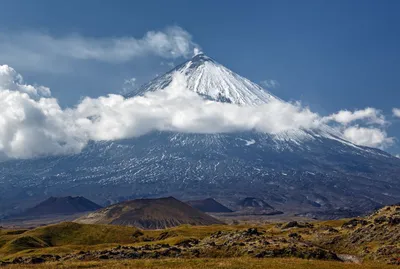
(370,242)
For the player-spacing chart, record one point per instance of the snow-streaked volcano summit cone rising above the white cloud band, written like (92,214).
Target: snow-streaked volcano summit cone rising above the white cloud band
(213,81)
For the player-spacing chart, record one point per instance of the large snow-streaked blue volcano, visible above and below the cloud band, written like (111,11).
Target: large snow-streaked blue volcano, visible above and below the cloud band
(302,171)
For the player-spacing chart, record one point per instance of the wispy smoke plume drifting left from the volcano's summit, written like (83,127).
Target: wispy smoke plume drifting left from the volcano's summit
(43,51)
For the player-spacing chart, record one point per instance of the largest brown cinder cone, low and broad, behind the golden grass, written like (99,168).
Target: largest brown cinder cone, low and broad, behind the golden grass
(149,214)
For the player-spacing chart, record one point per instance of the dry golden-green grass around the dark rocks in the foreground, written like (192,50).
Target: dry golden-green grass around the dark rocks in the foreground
(65,238)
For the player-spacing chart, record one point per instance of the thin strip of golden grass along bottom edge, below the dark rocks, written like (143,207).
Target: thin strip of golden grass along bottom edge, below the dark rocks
(231,263)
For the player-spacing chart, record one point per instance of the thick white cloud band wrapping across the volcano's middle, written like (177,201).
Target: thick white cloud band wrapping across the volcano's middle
(33,124)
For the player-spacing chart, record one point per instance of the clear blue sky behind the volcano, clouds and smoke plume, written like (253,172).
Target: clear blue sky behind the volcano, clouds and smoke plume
(331,55)
